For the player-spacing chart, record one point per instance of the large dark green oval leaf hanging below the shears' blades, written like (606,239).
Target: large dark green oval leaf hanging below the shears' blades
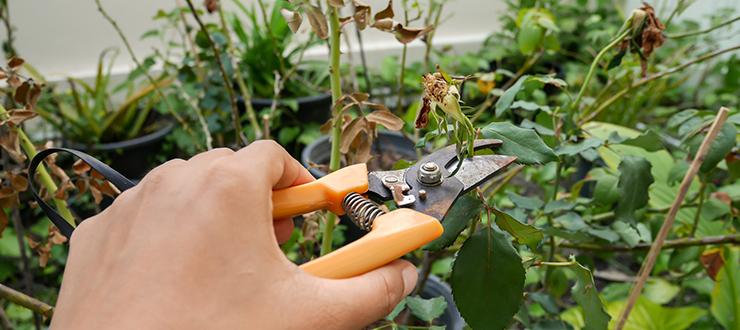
(487,280)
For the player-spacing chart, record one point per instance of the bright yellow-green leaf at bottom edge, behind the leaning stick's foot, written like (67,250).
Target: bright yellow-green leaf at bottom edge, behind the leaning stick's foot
(647,315)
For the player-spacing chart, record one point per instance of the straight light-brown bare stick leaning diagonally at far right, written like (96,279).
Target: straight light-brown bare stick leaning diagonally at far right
(655,248)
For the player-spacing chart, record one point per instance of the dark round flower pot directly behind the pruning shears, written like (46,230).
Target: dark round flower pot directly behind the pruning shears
(319,152)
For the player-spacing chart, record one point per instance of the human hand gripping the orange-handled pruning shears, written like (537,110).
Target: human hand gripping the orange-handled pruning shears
(194,245)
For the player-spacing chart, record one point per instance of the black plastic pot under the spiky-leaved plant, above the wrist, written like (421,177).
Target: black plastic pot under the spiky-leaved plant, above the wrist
(133,158)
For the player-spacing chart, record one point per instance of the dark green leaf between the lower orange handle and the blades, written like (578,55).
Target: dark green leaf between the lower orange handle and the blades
(465,209)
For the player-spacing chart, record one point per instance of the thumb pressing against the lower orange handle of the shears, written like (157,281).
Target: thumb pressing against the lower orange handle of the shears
(361,300)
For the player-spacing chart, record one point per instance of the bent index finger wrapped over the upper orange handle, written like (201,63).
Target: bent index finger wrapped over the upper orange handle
(274,163)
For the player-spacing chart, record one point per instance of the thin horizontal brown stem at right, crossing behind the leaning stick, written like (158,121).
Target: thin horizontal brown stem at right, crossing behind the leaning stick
(670,244)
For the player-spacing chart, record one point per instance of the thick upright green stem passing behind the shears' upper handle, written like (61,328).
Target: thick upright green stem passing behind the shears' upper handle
(336,130)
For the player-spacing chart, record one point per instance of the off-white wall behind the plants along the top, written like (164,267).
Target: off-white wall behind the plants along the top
(64,37)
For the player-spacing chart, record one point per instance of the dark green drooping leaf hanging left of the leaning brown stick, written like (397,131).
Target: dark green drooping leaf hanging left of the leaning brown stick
(634,181)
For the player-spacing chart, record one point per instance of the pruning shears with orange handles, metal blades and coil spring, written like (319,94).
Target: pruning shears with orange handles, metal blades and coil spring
(421,194)
